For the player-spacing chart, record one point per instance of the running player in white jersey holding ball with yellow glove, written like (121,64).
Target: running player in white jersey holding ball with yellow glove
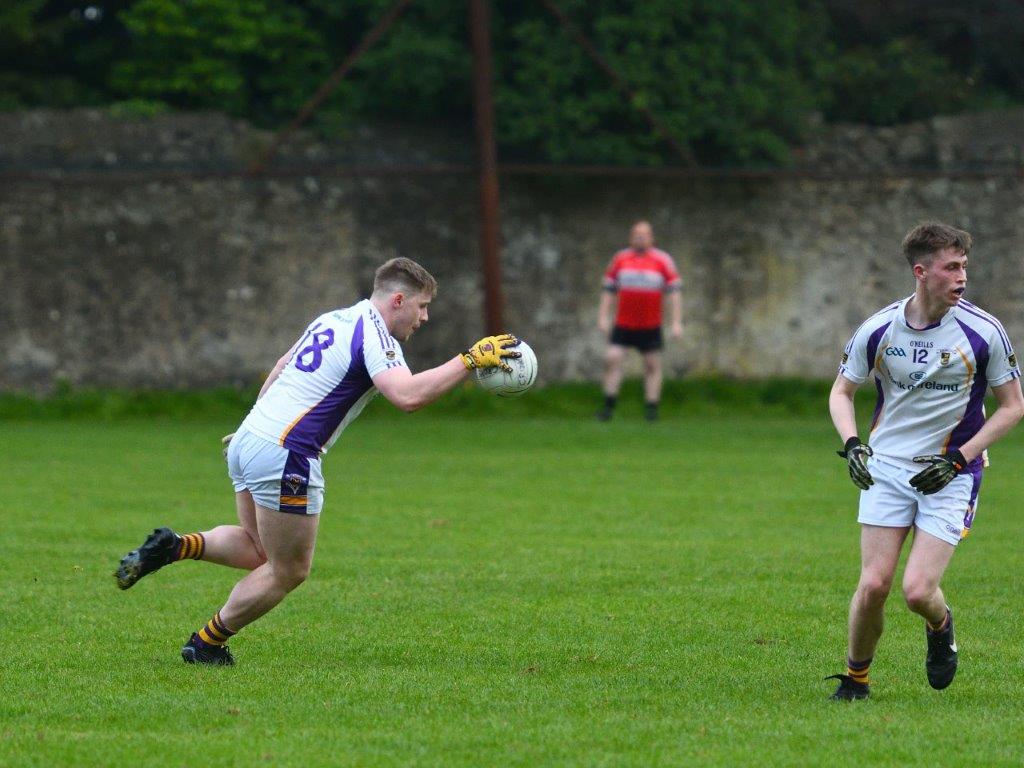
(340,362)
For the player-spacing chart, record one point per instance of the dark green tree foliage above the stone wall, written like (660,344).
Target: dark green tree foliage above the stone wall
(734,80)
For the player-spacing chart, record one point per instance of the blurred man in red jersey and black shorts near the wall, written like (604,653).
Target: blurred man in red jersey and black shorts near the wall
(639,276)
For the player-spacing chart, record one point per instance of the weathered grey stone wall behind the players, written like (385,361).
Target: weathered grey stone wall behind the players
(192,282)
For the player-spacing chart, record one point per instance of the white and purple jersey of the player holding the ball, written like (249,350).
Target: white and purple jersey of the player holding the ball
(328,381)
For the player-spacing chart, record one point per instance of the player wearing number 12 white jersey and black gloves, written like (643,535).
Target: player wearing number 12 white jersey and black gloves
(934,357)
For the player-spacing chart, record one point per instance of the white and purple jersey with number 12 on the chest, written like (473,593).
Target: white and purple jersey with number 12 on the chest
(931,382)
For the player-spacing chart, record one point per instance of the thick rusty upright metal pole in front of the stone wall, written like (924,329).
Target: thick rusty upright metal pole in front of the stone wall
(490,225)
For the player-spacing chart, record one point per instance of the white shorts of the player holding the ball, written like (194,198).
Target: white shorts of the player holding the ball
(277,478)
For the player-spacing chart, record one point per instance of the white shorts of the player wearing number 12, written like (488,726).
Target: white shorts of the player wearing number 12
(893,503)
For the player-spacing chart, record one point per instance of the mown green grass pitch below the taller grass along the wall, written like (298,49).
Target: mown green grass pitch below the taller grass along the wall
(490,590)
